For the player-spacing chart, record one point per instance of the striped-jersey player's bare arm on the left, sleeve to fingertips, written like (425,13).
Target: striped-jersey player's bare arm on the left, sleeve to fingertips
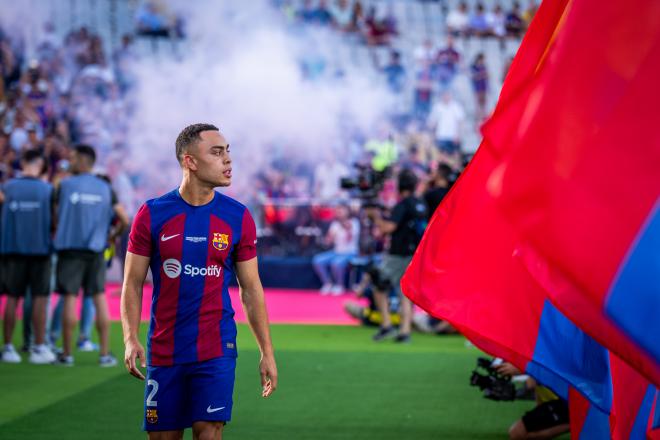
(135,272)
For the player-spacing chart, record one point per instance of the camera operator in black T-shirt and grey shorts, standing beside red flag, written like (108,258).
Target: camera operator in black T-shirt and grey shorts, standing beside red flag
(405,227)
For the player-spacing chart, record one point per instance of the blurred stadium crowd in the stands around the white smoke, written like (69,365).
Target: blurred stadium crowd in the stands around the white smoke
(71,92)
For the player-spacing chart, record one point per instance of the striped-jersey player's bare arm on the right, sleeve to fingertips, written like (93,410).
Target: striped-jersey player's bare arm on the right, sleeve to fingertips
(252,297)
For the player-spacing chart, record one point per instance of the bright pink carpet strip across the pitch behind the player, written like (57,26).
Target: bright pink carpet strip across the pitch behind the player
(284,306)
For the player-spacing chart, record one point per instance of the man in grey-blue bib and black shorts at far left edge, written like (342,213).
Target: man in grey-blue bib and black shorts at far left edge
(26,245)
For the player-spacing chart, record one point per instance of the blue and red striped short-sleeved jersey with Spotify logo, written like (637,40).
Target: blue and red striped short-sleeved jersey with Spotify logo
(193,251)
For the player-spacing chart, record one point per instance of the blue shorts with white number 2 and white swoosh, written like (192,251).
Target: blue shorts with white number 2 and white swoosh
(177,396)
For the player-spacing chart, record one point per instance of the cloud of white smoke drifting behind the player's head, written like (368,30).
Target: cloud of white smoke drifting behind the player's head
(240,69)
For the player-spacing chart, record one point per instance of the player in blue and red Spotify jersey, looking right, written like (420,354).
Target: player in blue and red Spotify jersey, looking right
(195,240)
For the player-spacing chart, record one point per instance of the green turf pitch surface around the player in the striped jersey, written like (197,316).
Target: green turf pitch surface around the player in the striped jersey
(335,383)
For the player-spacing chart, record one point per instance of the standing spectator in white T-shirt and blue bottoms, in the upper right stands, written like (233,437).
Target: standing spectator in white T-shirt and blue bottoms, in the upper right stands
(447,120)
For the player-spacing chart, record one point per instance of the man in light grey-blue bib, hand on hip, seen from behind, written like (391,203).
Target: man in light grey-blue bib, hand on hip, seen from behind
(86,204)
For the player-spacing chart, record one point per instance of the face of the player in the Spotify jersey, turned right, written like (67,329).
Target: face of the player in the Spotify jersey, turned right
(212,159)
